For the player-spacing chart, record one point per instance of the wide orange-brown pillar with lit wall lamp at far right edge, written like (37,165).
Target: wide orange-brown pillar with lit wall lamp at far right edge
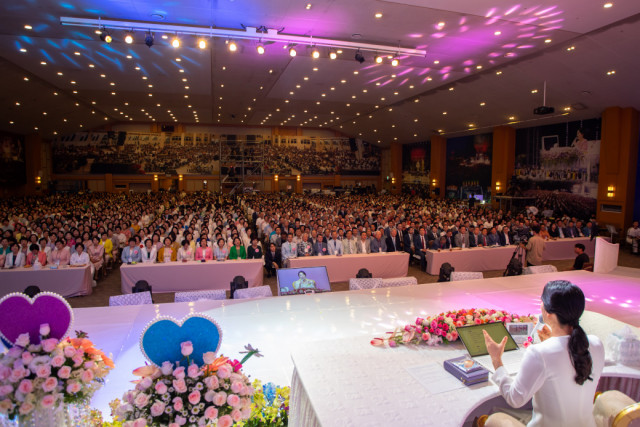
(618,157)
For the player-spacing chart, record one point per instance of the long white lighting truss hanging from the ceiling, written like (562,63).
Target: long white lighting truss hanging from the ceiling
(249,33)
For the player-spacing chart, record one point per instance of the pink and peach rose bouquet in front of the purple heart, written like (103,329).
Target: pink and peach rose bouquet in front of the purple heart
(44,375)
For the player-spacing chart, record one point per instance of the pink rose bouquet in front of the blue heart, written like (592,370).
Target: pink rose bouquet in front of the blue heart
(216,393)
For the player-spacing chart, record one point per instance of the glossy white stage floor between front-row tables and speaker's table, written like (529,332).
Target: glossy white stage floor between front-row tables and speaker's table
(280,326)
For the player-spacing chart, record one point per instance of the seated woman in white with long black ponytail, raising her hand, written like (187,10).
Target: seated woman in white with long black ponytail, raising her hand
(561,373)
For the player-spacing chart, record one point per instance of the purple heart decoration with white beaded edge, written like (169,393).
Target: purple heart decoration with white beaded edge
(20,314)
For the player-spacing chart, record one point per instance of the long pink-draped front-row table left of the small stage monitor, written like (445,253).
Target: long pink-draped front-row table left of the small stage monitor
(192,275)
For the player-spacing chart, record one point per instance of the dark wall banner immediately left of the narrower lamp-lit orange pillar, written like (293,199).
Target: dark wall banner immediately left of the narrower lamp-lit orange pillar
(469,166)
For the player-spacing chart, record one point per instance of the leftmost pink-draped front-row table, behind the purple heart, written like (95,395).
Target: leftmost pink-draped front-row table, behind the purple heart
(64,280)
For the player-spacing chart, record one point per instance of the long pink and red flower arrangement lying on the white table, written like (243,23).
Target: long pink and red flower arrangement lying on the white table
(441,328)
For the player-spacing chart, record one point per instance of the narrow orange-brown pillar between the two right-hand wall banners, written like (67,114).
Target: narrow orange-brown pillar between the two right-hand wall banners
(504,158)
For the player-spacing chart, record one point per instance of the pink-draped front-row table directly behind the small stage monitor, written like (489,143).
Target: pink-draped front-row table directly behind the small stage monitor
(342,268)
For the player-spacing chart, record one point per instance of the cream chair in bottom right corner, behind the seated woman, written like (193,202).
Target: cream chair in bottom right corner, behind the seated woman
(616,409)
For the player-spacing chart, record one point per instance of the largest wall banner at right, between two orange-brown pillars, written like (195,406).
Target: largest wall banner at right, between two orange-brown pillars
(559,166)
